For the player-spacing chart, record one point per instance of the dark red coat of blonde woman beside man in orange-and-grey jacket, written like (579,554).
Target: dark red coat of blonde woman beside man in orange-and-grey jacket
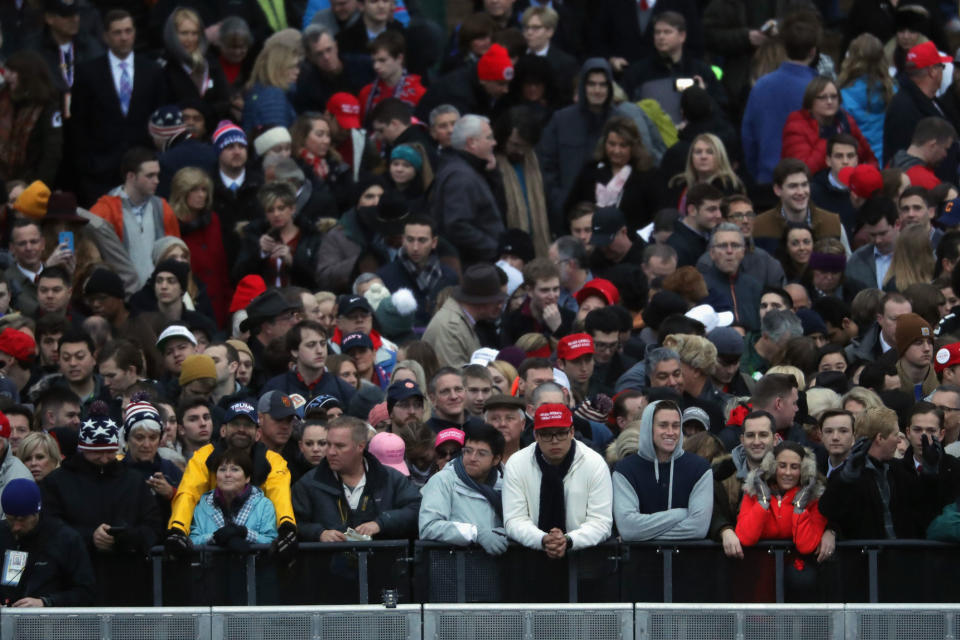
(208,262)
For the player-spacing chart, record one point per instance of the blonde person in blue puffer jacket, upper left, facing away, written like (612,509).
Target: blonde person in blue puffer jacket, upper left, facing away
(275,71)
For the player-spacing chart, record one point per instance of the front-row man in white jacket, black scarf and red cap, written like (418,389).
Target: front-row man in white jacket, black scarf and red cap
(557,494)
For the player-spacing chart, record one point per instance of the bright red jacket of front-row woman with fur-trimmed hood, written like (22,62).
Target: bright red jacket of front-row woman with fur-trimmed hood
(779,522)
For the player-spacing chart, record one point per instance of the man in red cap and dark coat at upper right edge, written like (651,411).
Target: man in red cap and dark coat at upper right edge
(916,100)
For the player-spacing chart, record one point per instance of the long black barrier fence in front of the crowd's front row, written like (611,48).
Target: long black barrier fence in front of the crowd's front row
(426,572)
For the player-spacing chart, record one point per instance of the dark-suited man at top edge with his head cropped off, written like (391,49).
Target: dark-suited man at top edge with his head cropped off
(622,30)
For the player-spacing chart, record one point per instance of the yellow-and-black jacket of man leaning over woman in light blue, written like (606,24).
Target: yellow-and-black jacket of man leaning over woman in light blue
(270,474)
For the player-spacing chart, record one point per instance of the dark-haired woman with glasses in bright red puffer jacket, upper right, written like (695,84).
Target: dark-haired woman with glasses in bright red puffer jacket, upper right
(807,130)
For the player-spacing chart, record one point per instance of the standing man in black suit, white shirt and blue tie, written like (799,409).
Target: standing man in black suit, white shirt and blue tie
(113,97)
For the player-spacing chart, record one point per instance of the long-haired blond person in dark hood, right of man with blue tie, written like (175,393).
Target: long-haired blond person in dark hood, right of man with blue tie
(189,73)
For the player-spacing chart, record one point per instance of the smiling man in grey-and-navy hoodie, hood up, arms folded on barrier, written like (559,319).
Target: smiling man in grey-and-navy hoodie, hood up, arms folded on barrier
(644,506)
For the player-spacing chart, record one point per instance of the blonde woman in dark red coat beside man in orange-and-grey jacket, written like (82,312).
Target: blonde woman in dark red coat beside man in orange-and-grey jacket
(191,196)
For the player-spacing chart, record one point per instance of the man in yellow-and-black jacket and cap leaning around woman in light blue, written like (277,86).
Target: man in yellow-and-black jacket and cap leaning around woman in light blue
(271,475)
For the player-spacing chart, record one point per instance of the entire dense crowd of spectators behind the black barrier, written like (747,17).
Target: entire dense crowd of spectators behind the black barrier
(478,272)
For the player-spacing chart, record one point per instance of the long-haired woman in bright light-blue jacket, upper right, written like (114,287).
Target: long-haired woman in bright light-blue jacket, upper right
(866,87)
